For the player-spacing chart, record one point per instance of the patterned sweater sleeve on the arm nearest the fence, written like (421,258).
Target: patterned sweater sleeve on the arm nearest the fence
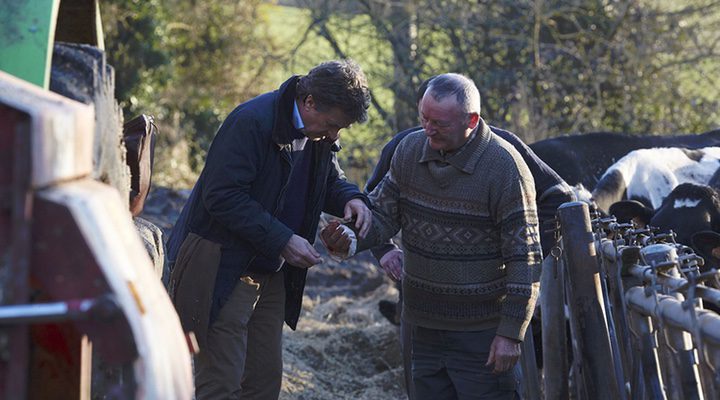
(520,248)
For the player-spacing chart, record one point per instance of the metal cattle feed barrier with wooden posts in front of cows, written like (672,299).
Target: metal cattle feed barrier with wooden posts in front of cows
(639,308)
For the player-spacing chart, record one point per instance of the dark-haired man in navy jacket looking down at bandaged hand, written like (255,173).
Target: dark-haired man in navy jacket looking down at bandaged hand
(248,226)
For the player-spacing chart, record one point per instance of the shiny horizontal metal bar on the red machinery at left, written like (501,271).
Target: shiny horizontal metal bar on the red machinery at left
(102,307)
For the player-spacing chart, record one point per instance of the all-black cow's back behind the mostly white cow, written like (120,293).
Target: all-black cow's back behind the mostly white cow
(584,158)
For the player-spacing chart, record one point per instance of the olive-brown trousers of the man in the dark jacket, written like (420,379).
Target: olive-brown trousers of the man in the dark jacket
(243,358)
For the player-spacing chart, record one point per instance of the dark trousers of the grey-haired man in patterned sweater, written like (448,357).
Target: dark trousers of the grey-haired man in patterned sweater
(450,365)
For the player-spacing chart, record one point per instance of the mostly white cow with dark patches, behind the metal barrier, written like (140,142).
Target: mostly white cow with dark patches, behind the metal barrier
(649,175)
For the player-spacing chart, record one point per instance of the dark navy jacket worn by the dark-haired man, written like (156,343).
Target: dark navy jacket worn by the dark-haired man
(242,189)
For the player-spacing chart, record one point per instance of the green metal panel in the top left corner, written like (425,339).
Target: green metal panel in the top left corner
(27,30)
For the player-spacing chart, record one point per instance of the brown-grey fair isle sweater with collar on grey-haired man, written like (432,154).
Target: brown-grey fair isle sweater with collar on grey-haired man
(469,230)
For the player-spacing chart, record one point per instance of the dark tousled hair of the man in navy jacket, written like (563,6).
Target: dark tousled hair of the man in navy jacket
(339,84)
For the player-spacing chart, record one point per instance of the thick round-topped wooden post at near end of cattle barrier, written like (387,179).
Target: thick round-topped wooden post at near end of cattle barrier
(587,315)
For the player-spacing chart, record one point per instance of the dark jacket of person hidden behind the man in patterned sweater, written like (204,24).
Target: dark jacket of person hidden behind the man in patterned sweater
(551,191)
